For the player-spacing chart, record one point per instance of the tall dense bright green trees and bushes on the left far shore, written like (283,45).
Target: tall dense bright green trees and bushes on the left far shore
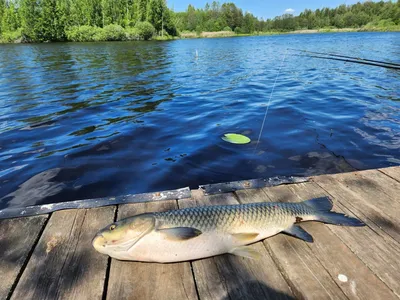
(86,20)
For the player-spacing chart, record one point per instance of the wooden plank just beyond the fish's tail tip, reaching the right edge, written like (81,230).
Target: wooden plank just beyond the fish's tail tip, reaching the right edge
(381,214)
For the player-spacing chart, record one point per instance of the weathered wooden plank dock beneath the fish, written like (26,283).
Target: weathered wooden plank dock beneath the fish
(51,257)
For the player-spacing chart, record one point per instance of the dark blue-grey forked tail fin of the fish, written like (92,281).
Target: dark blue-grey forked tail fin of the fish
(323,213)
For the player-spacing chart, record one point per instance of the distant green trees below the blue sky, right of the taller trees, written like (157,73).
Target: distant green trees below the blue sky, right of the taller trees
(214,17)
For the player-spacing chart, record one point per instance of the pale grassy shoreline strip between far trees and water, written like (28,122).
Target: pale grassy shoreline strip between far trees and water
(226,34)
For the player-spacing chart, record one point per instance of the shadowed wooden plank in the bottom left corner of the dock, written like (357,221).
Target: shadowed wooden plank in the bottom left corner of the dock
(17,237)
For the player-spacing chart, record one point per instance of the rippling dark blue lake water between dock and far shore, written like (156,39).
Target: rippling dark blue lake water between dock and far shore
(104,119)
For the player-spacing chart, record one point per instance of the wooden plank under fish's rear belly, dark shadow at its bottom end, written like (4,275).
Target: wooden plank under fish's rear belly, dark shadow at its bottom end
(232,277)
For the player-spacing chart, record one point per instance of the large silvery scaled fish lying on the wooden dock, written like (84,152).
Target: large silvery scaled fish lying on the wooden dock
(199,232)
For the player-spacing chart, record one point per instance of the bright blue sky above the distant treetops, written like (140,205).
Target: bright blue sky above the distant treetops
(265,8)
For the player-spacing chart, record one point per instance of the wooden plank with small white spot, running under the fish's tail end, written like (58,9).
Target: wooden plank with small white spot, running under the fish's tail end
(336,257)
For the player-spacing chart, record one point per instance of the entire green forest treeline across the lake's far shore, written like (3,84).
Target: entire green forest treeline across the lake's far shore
(96,20)
